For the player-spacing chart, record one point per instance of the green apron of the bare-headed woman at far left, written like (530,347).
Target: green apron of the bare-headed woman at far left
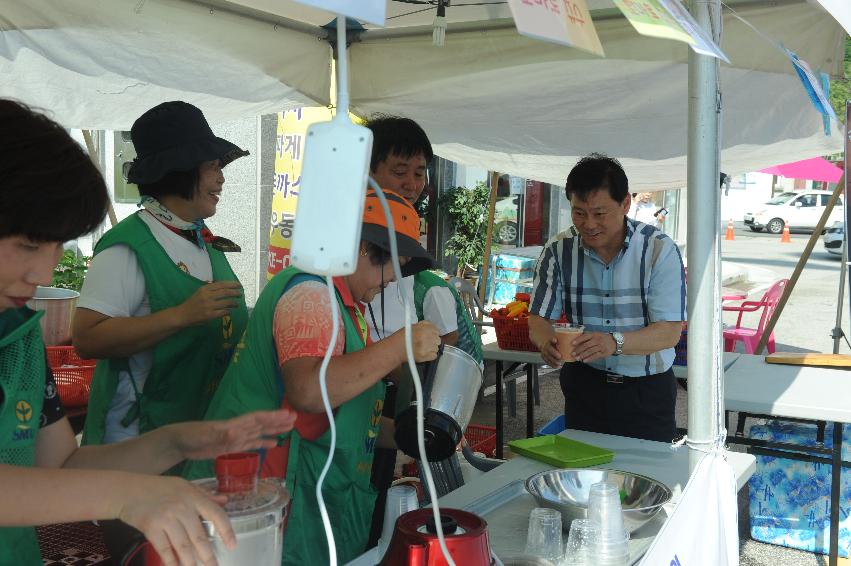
(22,374)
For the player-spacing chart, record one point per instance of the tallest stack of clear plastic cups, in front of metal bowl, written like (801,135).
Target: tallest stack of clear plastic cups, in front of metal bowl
(604,509)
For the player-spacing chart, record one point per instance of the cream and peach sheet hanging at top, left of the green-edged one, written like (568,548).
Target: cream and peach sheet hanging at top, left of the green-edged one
(567,22)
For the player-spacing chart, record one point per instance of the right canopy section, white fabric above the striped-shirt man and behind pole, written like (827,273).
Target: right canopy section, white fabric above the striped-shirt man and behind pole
(511,104)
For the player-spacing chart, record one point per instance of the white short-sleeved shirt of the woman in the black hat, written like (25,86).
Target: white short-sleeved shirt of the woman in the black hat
(115,287)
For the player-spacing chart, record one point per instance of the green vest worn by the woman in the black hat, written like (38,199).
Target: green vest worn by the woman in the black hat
(187,366)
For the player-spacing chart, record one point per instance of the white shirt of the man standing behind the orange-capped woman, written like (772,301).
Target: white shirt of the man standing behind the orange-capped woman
(438,308)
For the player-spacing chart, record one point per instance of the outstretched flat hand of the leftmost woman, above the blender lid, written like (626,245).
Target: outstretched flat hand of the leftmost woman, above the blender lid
(207,439)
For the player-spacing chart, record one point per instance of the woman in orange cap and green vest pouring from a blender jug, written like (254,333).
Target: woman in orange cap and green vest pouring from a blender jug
(278,363)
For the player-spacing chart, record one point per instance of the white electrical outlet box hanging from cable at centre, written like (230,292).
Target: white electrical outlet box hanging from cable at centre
(326,235)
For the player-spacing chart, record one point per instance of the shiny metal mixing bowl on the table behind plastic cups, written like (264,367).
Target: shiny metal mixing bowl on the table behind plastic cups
(567,491)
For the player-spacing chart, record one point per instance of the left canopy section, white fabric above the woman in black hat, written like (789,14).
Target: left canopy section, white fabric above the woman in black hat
(102,64)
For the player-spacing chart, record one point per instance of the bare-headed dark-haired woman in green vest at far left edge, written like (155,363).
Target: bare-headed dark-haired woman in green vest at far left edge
(50,193)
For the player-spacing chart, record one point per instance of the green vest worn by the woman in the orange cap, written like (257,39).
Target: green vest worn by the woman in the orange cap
(252,383)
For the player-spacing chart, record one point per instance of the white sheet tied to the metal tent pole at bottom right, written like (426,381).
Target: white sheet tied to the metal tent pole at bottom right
(703,528)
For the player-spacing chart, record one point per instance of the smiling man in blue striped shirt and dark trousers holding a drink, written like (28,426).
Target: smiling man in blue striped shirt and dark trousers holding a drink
(624,281)
